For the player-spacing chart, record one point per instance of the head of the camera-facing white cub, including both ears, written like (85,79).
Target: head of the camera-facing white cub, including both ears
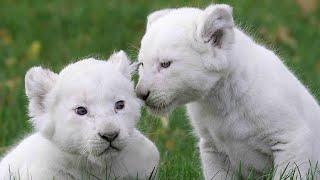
(89,108)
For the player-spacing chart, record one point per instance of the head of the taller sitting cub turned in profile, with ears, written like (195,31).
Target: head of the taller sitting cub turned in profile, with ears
(184,55)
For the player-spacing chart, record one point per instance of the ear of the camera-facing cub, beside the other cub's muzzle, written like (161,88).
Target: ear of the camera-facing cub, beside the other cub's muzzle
(123,63)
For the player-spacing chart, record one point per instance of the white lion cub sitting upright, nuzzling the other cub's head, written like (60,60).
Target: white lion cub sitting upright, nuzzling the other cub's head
(245,105)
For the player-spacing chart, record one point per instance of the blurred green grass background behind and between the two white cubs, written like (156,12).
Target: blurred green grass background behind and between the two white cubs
(54,33)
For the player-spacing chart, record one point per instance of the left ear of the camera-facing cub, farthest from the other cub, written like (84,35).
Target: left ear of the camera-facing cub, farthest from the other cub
(38,83)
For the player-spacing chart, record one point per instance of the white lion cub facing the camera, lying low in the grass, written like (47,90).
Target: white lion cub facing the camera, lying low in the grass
(85,120)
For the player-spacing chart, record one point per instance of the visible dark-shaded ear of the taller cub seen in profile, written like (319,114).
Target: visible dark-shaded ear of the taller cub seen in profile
(215,25)
